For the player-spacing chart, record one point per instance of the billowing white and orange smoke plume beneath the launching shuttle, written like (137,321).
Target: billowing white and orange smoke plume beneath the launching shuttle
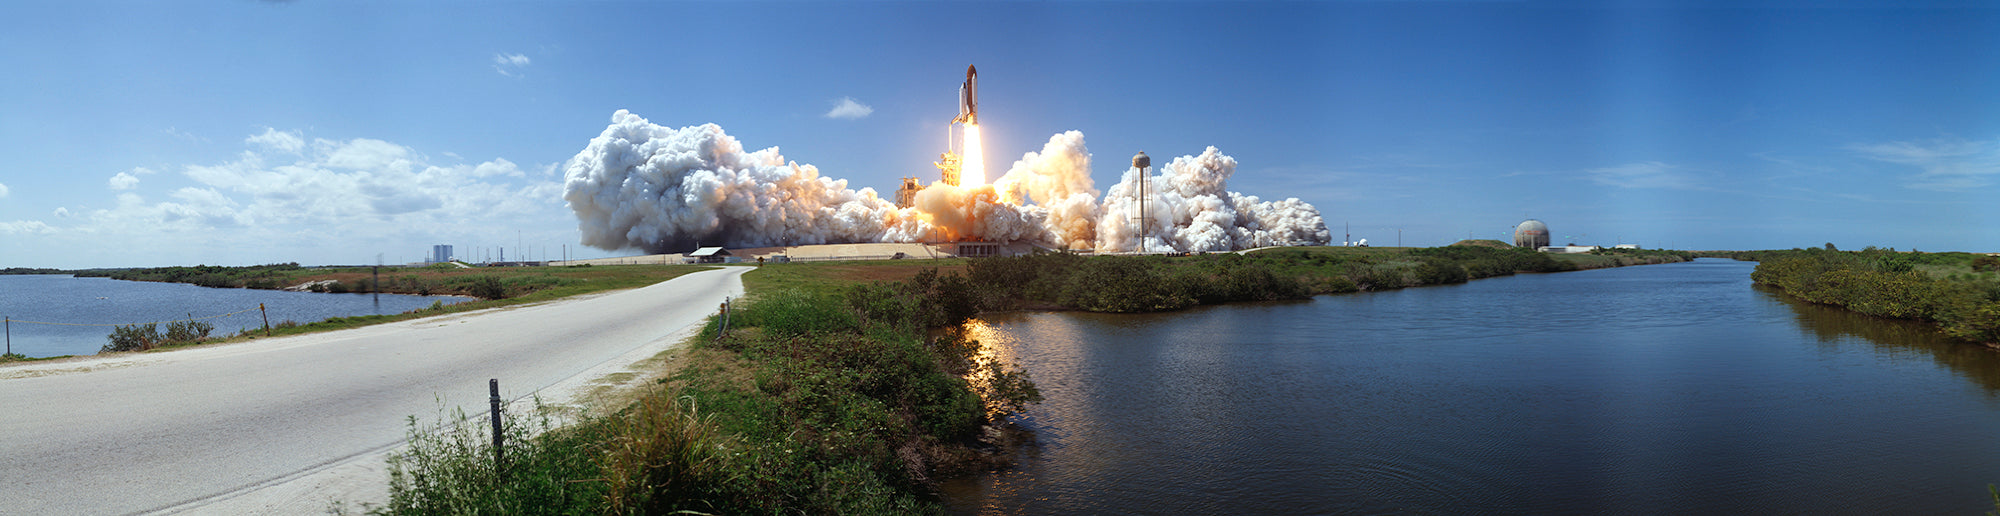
(649,187)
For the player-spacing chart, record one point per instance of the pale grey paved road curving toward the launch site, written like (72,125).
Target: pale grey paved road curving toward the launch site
(157,431)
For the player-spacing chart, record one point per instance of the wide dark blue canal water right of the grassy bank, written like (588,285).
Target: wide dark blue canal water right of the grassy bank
(1671,389)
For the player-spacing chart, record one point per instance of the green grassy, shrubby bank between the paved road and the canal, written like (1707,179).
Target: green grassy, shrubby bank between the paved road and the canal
(841,397)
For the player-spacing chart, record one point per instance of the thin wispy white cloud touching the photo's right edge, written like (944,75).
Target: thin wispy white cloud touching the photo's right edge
(1949,165)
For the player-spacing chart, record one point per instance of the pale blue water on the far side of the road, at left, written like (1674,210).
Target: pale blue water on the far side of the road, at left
(103,301)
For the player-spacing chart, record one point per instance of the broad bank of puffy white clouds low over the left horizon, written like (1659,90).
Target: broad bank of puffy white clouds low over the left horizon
(317,199)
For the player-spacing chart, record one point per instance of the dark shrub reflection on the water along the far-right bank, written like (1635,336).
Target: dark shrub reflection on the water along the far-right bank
(1895,339)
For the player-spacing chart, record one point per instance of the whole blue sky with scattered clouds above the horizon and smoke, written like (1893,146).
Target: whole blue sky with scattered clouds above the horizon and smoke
(331,133)
